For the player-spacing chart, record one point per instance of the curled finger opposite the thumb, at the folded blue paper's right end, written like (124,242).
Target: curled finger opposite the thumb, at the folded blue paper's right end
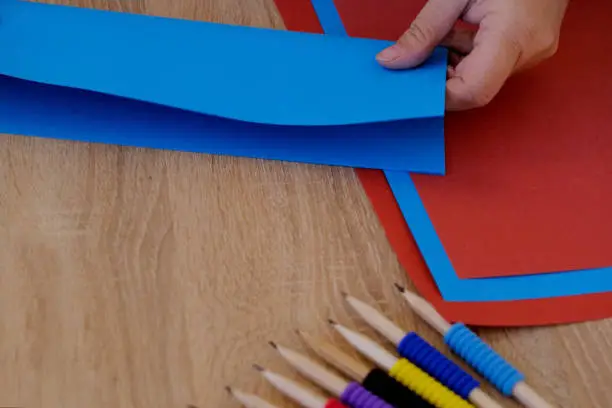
(482,73)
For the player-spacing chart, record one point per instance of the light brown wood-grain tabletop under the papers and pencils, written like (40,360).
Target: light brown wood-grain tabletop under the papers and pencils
(141,278)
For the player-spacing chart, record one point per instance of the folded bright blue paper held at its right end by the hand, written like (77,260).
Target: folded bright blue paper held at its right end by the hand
(91,75)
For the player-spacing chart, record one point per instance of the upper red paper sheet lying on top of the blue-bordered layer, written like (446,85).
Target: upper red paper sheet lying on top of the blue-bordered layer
(529,178)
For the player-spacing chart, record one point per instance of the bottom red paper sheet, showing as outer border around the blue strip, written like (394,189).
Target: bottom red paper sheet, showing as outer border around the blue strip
(300,16)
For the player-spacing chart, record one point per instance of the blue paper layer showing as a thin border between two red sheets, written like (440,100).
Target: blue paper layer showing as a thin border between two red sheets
(453,288)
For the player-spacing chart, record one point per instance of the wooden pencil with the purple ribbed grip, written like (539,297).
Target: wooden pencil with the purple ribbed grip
(351,394)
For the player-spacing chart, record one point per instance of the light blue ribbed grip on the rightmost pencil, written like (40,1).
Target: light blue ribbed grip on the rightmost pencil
(483,358)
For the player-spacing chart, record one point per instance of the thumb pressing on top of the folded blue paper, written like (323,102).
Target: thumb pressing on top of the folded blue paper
(435,20)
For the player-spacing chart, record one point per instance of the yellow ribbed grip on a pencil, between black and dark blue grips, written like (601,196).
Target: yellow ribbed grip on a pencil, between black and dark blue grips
(429,389)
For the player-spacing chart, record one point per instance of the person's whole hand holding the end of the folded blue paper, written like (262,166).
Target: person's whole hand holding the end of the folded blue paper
(511,35)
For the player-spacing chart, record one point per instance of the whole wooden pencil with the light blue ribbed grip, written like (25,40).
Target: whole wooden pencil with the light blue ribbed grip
(477,353)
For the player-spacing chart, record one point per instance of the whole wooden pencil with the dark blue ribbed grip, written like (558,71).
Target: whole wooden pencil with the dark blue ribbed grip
(424,355)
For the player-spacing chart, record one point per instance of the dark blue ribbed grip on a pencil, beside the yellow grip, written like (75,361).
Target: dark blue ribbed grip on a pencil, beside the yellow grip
(422,354)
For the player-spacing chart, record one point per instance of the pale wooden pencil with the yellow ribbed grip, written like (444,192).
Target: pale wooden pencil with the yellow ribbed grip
(403,371)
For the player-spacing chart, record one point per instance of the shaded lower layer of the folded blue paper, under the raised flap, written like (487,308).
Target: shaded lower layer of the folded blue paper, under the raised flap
(33,109)
